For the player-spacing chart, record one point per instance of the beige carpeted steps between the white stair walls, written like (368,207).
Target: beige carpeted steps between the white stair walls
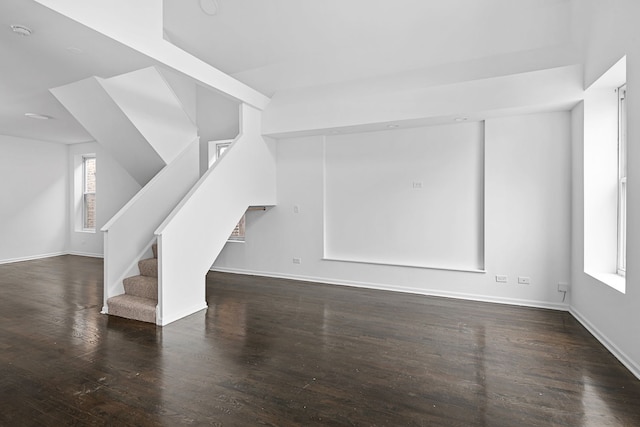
(140,296)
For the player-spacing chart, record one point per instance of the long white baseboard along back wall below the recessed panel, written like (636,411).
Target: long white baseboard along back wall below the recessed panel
(381,287)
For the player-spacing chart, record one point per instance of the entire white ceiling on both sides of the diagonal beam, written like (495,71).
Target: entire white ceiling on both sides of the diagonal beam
(278,45)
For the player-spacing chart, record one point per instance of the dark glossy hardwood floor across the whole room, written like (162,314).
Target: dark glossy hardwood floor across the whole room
(285,353)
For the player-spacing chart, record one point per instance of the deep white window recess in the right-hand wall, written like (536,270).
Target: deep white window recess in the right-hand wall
(605,177)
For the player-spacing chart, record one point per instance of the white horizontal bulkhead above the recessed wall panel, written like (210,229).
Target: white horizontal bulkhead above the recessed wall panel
(403,99)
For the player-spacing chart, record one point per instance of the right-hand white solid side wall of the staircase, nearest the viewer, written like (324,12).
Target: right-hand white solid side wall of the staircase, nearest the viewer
(195,232)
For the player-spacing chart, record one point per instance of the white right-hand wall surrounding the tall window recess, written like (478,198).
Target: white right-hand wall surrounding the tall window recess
(611,315)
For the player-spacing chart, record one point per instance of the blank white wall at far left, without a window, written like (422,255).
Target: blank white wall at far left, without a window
(34,191)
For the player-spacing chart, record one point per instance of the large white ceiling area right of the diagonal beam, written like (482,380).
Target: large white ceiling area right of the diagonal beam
(279,44)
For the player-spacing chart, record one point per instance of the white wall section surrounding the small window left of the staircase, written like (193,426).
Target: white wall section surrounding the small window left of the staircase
(114,188)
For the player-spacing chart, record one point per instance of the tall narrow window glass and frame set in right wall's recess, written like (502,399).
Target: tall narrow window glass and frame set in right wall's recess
(622,180)
